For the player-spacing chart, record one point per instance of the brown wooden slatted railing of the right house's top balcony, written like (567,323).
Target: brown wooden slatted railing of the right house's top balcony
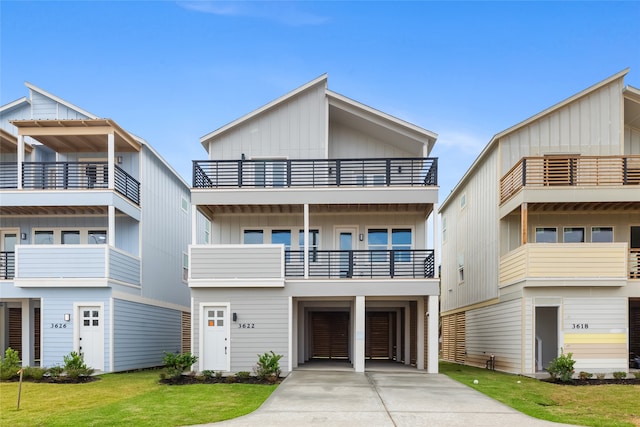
(570,171)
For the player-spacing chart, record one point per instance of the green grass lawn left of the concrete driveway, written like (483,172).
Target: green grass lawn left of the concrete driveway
(127,399)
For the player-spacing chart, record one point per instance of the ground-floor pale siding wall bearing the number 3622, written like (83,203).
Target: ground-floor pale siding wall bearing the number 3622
(267,310)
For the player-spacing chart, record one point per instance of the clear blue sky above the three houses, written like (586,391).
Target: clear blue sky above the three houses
(172,72)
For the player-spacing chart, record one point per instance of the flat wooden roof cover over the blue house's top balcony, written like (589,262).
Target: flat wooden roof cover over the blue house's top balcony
(77,136)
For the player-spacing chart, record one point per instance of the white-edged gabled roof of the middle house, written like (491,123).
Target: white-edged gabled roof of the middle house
(345,109)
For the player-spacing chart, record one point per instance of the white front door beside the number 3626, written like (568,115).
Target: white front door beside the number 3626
(91,336)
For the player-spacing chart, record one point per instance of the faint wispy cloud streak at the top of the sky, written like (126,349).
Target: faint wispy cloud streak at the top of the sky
(287,13)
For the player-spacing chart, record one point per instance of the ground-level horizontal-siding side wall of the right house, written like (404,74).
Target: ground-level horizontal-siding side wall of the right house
(495,330)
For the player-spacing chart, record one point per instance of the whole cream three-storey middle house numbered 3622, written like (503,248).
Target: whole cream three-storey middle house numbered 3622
(314,239)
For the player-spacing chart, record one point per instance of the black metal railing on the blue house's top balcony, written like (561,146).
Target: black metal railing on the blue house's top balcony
(69,176)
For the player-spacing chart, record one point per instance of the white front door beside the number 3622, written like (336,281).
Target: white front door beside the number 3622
(215,338)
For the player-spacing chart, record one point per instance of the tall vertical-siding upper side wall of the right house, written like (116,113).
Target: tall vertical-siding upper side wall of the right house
(472,233)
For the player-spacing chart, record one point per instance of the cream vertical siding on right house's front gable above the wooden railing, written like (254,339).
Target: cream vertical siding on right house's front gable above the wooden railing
(588,126)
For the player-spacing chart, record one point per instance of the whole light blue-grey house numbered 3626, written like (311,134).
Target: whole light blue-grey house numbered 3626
(94,230)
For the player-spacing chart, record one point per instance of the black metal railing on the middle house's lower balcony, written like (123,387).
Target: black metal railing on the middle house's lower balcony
(335,264)
